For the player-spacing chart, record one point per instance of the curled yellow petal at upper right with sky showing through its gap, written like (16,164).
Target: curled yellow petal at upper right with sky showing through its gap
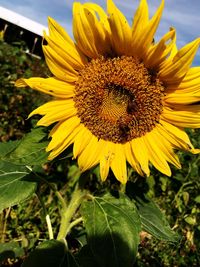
(158,52)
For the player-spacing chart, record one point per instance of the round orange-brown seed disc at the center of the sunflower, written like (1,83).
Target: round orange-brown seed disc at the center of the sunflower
(118,99)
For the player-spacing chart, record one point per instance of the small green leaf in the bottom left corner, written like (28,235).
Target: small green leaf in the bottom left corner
(10,250)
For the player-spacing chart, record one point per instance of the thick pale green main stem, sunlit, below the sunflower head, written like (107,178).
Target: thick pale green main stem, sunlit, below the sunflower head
(68,213)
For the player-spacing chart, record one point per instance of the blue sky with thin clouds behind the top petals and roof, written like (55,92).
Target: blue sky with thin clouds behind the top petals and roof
(181,14)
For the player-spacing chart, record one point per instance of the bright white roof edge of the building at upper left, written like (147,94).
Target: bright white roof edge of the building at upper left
(22,21)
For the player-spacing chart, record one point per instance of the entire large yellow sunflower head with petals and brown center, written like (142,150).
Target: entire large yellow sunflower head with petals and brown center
(118,96)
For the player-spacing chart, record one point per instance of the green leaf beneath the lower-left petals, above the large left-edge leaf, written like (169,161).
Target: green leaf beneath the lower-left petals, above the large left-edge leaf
(30,150)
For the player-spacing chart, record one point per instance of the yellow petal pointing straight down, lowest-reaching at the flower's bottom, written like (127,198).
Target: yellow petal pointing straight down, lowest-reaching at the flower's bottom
(118,163)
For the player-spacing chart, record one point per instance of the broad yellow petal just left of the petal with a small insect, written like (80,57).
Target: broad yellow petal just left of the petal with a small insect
(90,156)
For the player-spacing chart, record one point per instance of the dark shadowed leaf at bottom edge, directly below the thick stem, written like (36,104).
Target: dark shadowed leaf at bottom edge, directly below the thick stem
(50,253)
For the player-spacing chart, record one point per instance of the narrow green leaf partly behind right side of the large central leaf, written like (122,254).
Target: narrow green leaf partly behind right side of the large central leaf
(153,221)
